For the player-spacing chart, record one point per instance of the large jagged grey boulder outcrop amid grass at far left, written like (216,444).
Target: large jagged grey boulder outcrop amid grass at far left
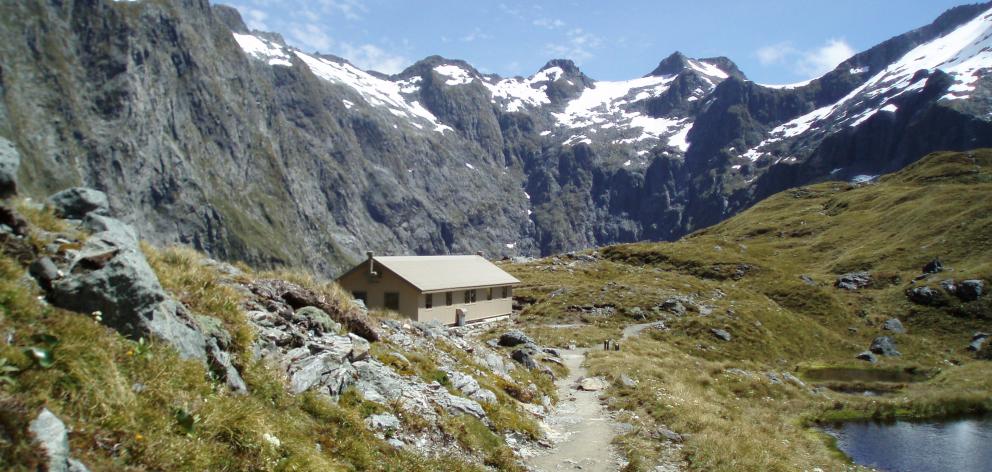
(110,275)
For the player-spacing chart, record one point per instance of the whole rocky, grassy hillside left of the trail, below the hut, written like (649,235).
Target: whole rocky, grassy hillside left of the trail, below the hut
(117,355)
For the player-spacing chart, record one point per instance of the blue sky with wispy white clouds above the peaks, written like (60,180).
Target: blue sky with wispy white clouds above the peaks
(772,41)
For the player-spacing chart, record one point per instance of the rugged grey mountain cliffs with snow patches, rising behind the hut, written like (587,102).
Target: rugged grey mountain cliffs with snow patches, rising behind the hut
(206,133)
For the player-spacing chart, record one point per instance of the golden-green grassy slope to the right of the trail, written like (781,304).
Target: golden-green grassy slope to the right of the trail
(937,207)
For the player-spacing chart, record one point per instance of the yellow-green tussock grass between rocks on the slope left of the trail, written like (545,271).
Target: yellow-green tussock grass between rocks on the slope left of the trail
(122,399)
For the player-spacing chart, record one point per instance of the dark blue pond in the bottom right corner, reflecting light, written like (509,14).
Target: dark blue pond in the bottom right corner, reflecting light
(962,445)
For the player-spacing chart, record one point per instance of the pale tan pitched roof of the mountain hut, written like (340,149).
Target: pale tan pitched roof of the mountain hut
(433,273)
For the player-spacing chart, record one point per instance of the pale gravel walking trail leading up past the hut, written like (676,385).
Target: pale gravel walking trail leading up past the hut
(580,428)
